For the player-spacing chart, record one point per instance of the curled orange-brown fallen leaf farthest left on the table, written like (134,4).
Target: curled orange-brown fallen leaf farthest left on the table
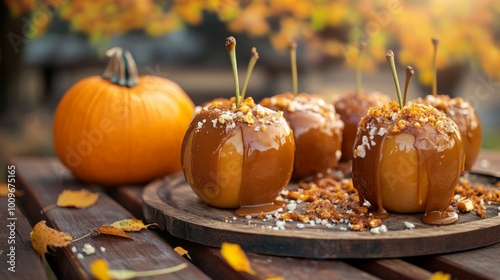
(43,236)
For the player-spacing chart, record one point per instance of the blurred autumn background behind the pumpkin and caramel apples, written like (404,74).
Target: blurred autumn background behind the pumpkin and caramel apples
(49,45)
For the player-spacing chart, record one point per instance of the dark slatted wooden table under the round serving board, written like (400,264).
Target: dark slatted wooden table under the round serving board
(40,180)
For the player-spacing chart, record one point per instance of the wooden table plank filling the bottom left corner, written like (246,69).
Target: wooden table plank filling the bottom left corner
(23,262)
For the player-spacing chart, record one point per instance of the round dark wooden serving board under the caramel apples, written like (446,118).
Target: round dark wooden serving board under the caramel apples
(174,206)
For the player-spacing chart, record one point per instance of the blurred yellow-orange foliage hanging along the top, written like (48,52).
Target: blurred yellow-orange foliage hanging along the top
(468,31)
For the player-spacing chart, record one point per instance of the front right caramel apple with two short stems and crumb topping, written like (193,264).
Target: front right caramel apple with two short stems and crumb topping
(408,159)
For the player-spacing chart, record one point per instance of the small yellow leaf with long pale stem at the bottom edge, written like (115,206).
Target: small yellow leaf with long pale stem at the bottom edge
(101,271)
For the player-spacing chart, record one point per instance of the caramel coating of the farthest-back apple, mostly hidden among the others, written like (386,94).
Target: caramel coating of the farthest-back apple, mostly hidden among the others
(352,107)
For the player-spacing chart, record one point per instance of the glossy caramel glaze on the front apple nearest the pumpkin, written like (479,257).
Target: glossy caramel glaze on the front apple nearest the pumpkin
(267,160)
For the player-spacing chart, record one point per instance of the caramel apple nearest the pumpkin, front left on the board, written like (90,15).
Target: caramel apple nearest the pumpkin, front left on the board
(238,154)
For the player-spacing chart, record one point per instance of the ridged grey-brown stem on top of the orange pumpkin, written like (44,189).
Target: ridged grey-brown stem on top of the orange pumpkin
(121,69)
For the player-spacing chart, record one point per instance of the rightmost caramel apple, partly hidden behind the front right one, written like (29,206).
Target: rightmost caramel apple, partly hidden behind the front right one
(461,112)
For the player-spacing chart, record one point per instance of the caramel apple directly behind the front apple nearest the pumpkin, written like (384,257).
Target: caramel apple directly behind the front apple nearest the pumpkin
(316,126)
